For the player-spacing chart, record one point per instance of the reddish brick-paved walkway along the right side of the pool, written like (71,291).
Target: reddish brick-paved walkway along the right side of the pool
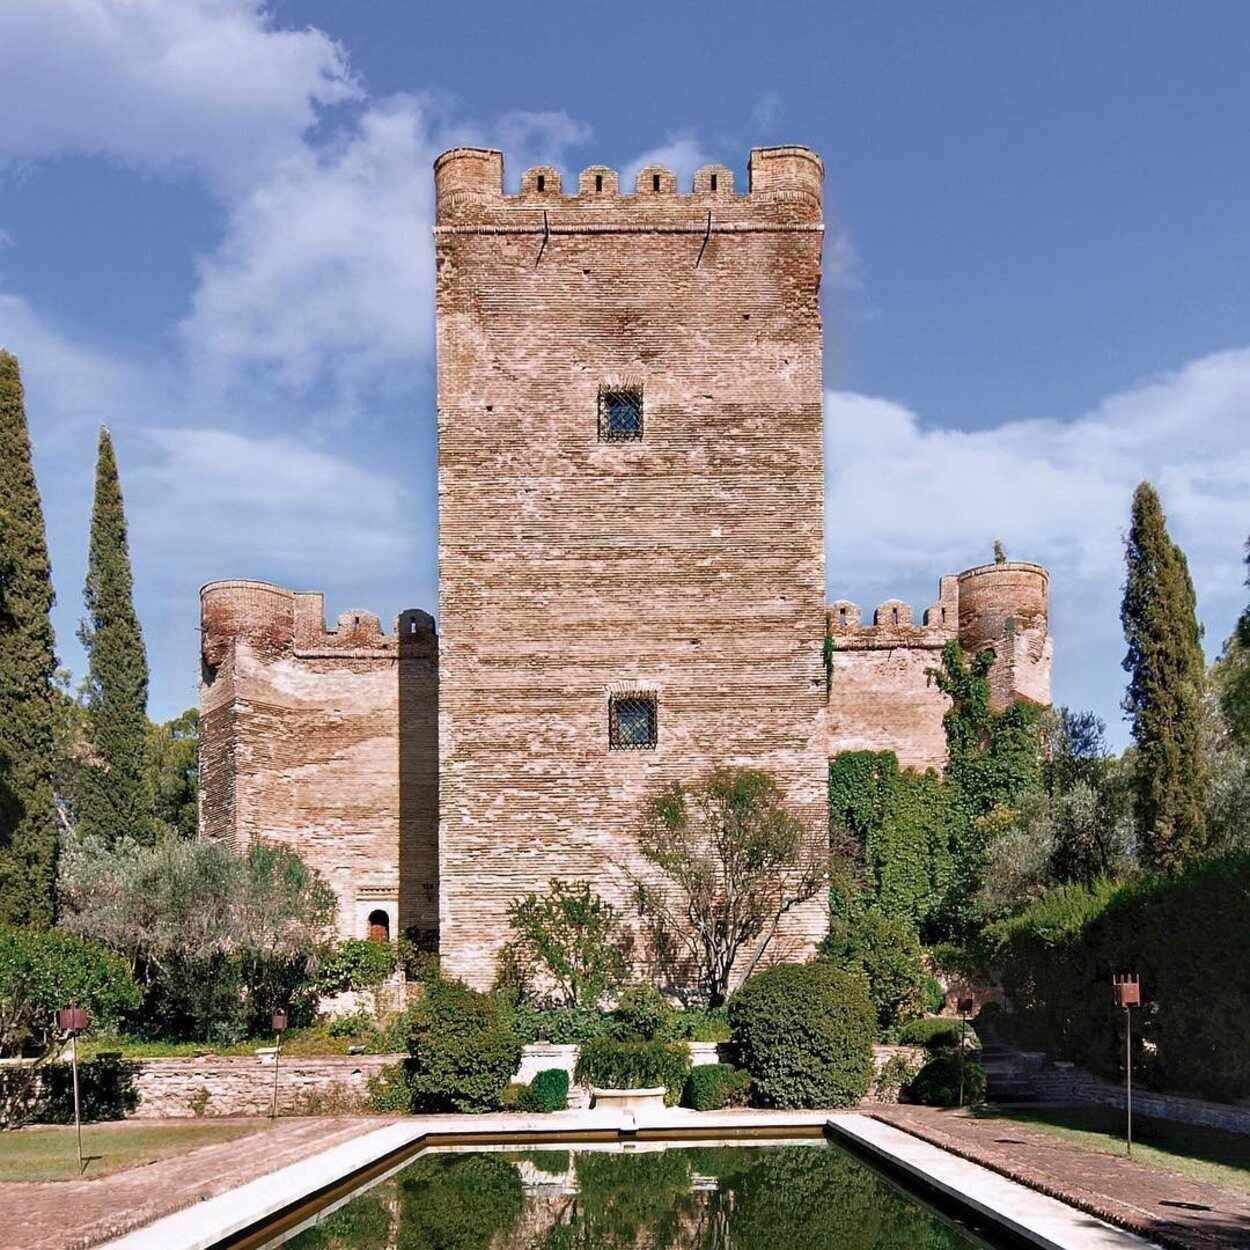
(1177,1212)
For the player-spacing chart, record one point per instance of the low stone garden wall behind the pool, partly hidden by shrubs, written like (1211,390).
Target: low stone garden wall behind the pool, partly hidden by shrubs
(332,1084)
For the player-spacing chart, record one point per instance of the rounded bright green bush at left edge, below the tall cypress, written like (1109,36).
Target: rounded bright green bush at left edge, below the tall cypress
(44,971)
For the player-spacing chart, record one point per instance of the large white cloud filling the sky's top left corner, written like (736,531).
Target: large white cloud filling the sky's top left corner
(204,87)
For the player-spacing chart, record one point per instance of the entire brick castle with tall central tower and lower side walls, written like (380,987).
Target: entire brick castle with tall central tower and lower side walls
(632,578)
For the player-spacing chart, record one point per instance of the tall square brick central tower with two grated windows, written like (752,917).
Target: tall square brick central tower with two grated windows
(631,508)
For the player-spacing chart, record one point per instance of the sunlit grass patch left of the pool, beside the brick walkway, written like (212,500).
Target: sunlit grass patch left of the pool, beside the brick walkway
(48,1153)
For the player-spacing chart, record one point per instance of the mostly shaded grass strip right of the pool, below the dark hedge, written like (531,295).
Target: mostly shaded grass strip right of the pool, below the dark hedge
(1209,1154)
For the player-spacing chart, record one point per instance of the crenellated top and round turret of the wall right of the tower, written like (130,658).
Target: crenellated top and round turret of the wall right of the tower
(1002,607)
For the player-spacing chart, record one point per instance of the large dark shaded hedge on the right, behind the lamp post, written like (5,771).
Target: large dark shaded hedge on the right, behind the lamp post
(1187,938)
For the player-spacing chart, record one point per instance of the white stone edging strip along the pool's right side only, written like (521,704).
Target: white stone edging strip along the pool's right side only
(1023,1212)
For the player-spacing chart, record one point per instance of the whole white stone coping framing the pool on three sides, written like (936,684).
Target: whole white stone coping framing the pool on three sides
(1037,1219)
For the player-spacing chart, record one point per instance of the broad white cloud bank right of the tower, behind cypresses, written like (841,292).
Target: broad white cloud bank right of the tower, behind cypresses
(907,504)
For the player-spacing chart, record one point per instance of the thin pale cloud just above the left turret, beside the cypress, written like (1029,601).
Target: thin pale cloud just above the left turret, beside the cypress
(221,503)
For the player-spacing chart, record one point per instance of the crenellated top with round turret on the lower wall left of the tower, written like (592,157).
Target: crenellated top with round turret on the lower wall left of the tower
(277,622)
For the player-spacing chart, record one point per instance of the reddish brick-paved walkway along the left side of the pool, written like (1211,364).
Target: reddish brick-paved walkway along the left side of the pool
(68,1216)
